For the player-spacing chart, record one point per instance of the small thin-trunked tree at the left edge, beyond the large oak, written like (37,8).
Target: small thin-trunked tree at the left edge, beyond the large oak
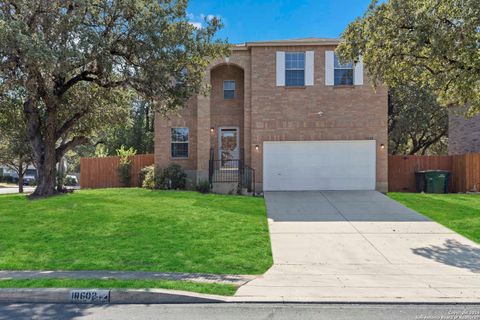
(15,150)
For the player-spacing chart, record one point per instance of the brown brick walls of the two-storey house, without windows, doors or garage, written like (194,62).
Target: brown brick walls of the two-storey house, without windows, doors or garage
(265,112)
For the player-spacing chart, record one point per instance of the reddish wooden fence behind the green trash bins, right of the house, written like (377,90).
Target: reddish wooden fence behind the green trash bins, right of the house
(465,171)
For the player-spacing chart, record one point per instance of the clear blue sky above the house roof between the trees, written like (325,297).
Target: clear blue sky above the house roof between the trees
(248,20)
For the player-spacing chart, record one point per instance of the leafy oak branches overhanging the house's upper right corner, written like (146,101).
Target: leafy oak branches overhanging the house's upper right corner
(432,43)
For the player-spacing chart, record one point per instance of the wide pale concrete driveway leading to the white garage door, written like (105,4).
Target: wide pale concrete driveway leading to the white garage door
(362,246)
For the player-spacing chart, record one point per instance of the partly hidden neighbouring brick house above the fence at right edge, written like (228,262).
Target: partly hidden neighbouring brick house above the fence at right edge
(463,134)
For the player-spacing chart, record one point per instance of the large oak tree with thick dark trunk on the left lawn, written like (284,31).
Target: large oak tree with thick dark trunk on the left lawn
(75,62)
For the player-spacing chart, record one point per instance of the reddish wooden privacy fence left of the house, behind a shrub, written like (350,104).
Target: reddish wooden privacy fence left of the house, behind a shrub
(102,172)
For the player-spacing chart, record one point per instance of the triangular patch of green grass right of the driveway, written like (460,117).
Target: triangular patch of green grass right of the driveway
(459,212)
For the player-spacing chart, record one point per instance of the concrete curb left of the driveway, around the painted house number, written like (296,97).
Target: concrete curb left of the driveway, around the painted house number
(116,296)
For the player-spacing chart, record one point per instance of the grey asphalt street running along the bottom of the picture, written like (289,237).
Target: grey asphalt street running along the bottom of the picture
(241,311)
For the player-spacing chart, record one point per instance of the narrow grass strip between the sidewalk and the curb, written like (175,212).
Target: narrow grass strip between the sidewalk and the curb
(208,288)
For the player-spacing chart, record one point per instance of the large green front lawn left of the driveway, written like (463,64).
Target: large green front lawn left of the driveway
(135,229)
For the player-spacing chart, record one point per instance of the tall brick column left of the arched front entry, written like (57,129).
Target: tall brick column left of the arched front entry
(203,132)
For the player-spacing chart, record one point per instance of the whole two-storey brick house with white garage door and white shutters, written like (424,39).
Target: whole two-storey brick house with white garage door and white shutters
(287,110)
